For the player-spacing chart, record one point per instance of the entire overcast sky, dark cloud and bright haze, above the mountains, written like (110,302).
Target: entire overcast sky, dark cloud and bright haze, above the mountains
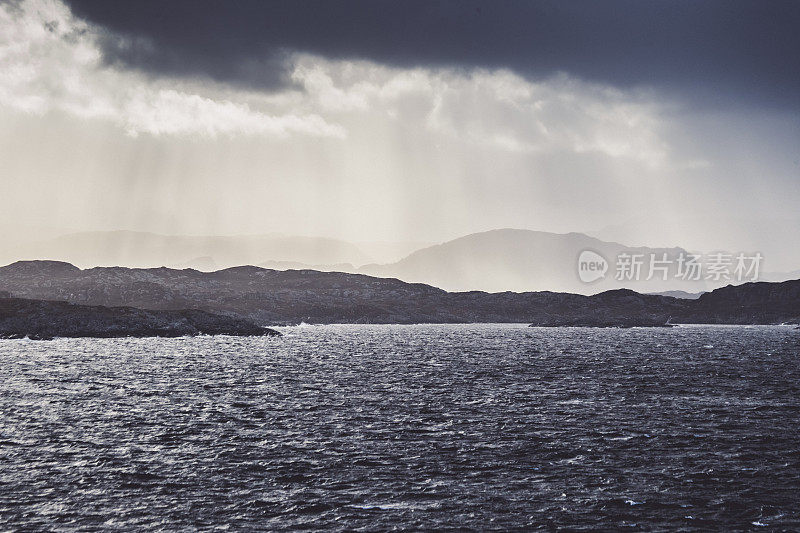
(663,123)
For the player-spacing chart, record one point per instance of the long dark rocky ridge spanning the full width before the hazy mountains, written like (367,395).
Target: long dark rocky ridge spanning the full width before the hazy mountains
(289,297)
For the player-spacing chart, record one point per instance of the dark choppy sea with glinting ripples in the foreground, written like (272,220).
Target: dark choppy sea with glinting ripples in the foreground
(371,428)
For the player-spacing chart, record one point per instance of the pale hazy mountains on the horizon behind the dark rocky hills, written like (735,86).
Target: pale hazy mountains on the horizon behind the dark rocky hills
(493,261)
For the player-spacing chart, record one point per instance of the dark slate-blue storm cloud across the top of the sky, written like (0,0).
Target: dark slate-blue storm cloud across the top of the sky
(715,49)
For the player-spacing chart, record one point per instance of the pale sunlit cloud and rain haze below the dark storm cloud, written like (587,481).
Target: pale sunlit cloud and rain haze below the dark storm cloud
(371,150)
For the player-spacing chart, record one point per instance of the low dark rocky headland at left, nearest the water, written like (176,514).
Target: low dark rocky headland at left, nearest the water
(44,320)
